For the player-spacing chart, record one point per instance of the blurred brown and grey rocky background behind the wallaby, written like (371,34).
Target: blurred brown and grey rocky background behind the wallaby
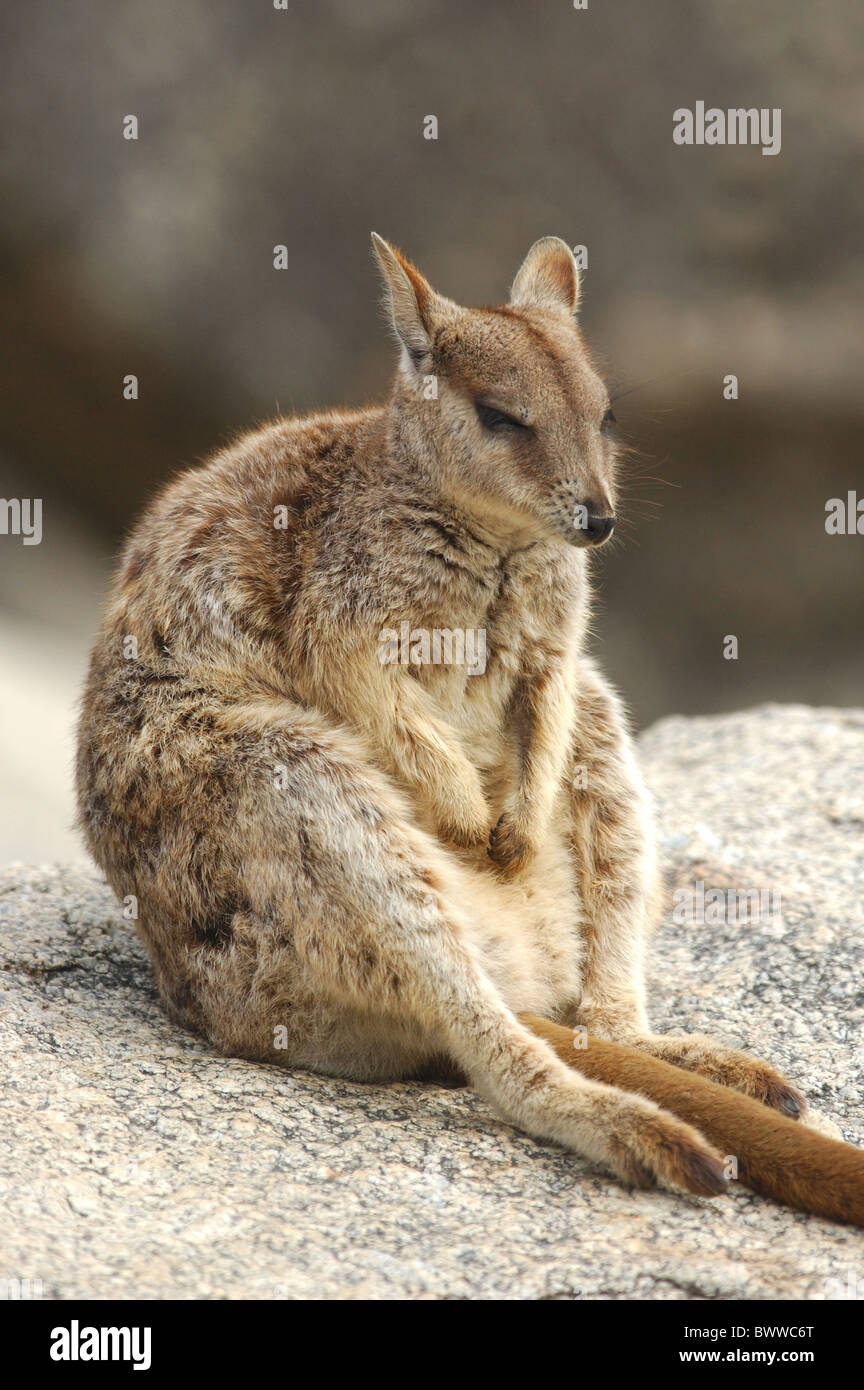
(305,127)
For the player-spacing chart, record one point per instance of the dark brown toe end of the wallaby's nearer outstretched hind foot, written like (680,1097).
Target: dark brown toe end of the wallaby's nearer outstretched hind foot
(658,1150)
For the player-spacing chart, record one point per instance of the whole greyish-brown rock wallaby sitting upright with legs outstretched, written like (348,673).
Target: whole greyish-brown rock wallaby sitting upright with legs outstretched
(380,811)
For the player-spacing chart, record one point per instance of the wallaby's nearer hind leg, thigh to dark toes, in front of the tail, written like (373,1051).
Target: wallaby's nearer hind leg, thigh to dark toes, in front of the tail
(356,936)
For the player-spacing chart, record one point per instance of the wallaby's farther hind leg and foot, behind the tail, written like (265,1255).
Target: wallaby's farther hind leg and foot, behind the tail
(613,849)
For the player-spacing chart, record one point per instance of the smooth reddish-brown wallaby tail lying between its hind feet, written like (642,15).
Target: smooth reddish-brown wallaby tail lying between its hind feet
(776,1156)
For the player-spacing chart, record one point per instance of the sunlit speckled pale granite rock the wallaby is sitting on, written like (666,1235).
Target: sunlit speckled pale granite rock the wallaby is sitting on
(137,1164)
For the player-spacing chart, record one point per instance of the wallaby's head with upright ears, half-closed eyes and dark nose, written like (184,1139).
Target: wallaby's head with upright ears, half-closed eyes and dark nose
(505,402)
